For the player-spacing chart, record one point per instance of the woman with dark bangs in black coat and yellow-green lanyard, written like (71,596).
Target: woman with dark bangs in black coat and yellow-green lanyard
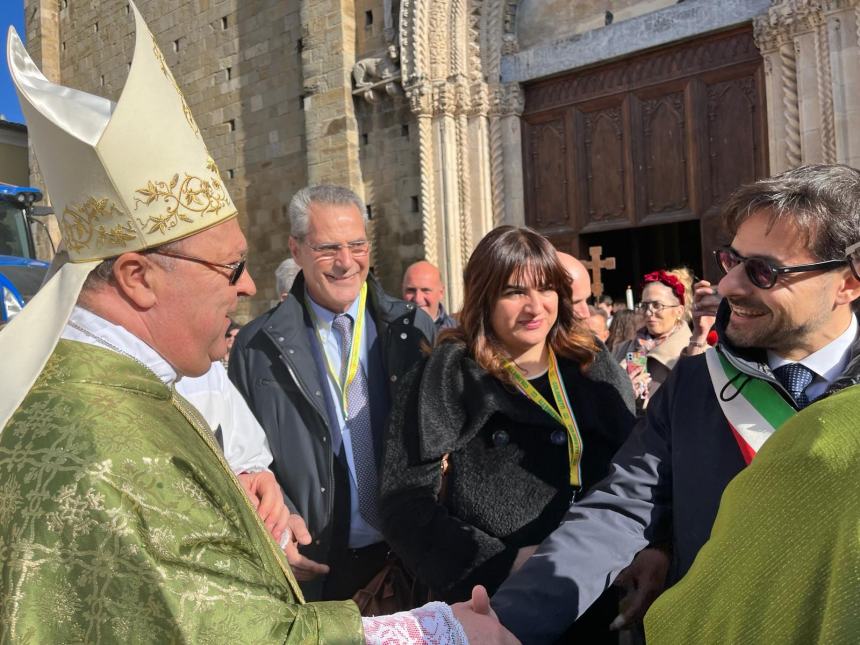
(525,409)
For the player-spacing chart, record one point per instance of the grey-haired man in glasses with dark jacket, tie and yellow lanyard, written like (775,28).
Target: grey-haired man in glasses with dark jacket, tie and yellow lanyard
(319,371)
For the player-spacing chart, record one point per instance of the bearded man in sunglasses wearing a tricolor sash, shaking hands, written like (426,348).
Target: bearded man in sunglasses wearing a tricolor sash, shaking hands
(787,337)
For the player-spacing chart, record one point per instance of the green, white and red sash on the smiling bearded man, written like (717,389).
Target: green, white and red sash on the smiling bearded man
(755,410)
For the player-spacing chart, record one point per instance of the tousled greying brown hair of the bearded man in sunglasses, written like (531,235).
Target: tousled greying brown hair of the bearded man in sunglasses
(823,201)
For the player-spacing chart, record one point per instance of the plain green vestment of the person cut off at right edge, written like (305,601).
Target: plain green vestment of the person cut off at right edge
(783,562)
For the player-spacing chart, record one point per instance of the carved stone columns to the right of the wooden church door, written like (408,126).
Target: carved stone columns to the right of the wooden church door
(813,82)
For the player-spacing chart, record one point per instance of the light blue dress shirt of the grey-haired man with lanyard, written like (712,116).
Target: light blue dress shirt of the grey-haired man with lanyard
(360,532)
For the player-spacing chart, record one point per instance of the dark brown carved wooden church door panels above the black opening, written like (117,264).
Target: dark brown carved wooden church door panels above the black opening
(664,136)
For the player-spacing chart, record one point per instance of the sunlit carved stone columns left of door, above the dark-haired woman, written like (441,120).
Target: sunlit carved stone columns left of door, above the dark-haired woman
(465,142)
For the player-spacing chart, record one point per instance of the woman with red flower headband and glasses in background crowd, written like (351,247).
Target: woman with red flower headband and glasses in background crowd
(651,355)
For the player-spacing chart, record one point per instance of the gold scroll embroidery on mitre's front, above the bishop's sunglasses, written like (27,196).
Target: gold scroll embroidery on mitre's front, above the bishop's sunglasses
(191,196)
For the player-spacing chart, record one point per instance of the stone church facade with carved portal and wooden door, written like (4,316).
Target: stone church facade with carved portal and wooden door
(618,123)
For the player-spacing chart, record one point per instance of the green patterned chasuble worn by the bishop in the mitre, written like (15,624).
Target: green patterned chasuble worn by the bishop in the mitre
(120,522)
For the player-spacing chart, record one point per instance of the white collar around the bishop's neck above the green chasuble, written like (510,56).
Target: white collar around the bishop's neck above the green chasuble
(120,338)
